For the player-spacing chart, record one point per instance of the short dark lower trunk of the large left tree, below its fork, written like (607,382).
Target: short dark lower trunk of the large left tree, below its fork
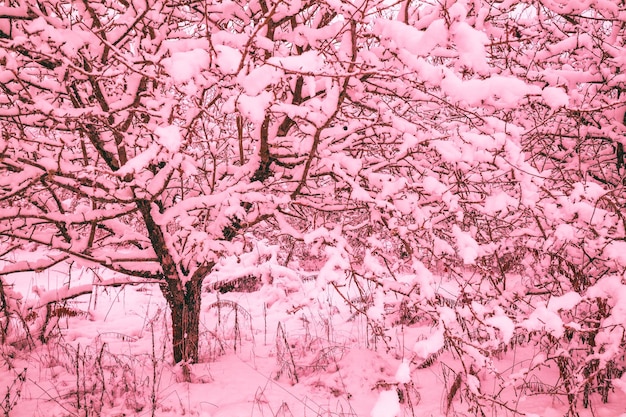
(184,303)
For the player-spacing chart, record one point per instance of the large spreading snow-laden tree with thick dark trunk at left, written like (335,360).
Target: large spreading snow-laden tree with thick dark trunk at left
(152,138)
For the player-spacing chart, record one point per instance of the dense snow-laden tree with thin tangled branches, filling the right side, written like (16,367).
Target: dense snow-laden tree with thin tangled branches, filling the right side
(513,189)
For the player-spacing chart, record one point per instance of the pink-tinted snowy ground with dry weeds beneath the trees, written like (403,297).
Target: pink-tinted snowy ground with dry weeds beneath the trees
(109,355)
